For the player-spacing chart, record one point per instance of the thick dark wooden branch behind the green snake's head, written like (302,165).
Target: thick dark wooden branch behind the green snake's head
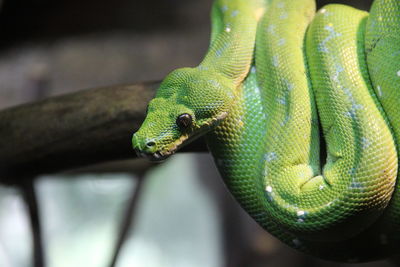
(73,130)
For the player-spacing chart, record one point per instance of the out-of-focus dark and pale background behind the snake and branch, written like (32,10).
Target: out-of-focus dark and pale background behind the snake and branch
(185,216)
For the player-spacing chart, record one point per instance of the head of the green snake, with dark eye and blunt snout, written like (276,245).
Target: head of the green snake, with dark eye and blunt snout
(189,103)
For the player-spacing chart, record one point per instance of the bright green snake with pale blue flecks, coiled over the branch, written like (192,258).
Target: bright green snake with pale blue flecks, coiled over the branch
(300,110)
